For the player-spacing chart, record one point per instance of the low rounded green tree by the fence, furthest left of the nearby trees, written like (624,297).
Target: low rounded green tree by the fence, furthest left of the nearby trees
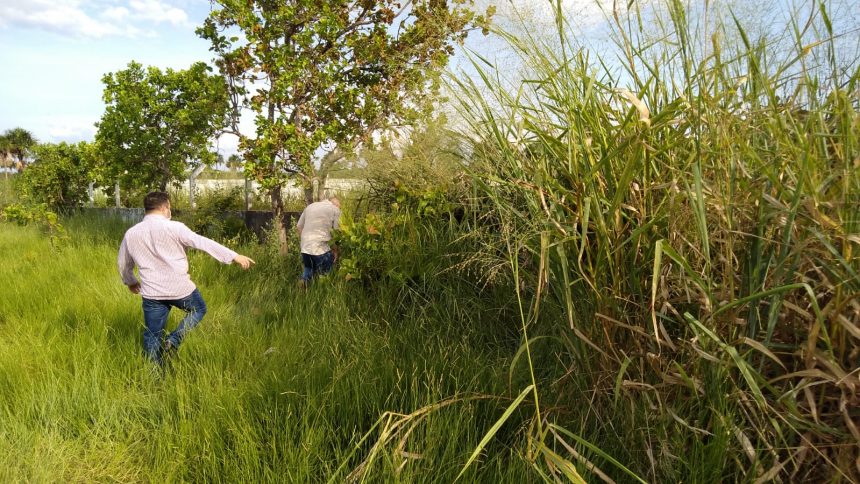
(59,174)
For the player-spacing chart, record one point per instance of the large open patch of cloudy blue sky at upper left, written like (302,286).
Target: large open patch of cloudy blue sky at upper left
(54,53)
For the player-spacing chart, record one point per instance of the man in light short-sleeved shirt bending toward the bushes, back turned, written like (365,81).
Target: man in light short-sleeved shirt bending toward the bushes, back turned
(314,228)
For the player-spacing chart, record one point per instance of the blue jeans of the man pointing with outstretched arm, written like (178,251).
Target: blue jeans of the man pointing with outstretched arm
(155,313)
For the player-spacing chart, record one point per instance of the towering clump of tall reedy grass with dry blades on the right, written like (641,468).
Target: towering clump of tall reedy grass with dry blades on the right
(684,219)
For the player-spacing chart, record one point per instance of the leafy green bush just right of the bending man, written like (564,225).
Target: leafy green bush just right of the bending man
(412,200)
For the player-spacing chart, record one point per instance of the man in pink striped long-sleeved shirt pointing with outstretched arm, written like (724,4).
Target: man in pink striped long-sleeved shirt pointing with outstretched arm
(157,247)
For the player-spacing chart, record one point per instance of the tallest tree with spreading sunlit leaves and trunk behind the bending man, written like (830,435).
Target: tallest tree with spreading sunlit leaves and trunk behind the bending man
(323,73)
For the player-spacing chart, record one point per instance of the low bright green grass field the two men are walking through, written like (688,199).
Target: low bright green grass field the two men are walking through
(276,384)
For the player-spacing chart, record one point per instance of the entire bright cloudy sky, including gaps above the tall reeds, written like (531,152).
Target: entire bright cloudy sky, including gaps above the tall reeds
(54,53)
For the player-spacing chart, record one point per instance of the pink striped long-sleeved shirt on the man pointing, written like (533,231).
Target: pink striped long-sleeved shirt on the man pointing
(157,247)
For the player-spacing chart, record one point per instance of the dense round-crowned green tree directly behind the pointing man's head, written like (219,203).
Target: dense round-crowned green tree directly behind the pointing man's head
(156,122)
